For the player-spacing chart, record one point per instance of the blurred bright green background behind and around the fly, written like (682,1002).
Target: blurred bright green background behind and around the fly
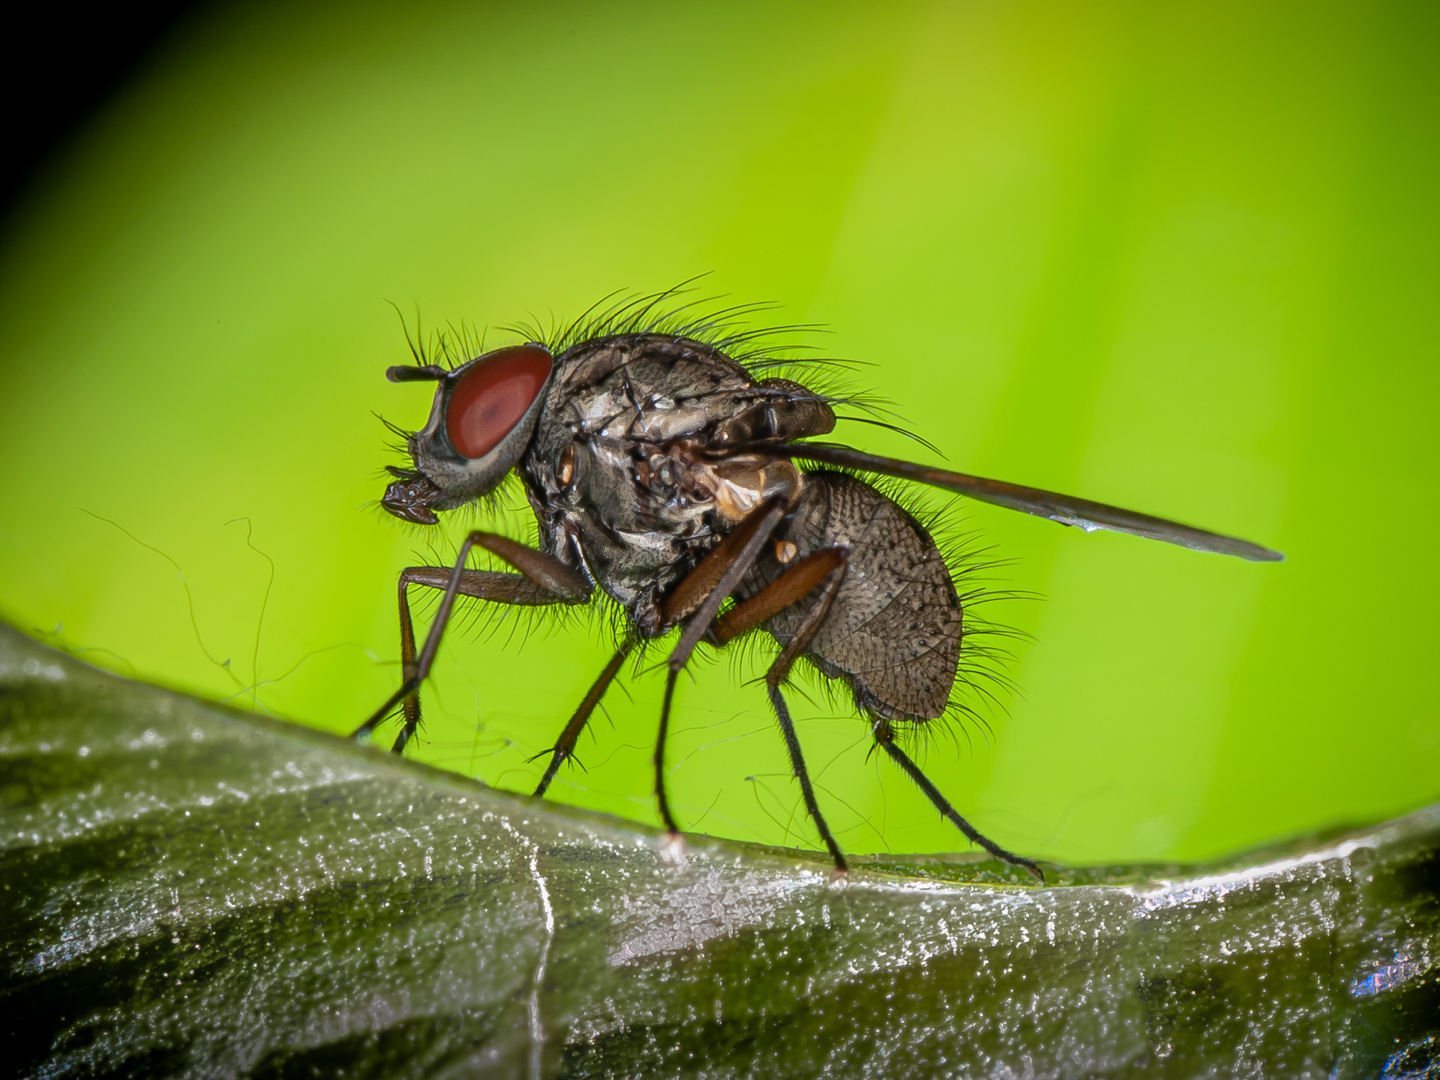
(1182,258)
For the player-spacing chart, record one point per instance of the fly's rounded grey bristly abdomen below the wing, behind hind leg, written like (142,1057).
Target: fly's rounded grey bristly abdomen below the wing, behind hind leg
(894,631)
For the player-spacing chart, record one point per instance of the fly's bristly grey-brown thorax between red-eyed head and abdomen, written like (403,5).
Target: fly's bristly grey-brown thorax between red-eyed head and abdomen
(639,459)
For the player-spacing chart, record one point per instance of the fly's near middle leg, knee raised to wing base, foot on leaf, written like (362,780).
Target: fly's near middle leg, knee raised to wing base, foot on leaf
(701,597)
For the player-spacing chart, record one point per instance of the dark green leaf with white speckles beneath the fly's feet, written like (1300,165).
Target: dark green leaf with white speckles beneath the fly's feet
(194,891)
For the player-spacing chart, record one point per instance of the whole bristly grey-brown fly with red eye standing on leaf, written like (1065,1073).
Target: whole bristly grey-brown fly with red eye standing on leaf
(673,477)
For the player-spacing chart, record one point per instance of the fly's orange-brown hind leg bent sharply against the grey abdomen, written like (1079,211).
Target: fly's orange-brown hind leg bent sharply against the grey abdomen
(824,570)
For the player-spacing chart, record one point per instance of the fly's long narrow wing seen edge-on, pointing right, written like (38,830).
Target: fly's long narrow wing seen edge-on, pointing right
(1068,510)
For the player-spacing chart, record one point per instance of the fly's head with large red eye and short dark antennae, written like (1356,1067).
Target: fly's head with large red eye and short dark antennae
(480,426)
